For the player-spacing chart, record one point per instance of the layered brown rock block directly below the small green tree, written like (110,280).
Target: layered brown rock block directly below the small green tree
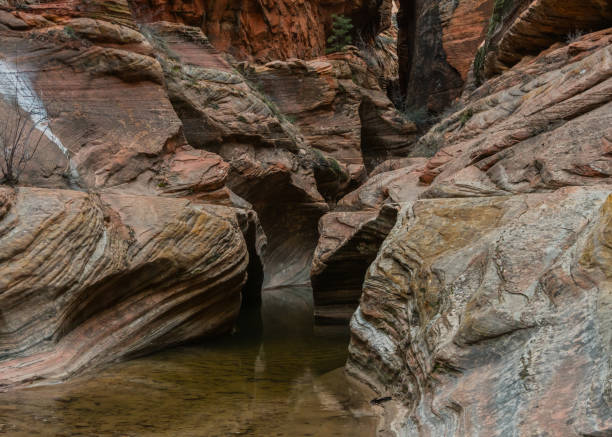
(337,103)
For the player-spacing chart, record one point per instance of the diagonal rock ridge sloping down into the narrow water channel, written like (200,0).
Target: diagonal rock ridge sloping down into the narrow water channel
(270,164)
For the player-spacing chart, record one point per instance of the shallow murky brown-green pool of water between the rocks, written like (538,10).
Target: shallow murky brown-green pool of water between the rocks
(271,378)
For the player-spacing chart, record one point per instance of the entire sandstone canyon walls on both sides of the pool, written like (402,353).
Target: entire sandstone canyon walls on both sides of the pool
(199,150)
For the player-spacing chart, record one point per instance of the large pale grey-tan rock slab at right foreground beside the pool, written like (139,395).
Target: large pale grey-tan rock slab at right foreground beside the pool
(491,316)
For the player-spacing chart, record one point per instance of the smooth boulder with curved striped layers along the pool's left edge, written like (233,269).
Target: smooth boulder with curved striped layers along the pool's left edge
(87,279)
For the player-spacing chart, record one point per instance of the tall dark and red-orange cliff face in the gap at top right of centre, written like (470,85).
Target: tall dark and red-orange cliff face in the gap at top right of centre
(436,47)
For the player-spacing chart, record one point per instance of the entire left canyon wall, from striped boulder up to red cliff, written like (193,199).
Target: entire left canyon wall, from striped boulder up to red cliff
(169,176)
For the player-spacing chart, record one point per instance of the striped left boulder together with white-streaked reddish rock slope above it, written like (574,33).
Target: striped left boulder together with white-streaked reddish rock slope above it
(120,273)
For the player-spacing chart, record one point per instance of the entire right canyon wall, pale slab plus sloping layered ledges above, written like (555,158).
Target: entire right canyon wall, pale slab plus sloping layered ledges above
(486,310)
